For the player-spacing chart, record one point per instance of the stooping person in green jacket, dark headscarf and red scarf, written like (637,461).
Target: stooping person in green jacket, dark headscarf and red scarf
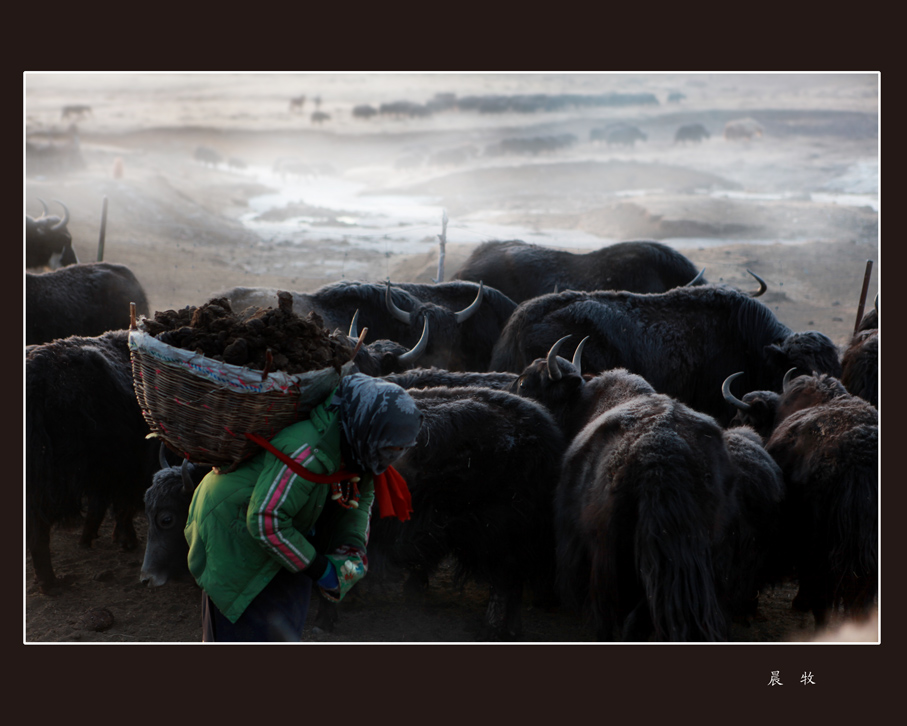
(298,513)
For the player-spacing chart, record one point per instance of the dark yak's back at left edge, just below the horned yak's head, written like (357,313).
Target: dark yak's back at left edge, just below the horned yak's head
(85,299)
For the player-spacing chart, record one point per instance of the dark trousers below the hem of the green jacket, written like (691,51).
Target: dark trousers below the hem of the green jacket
(278,613)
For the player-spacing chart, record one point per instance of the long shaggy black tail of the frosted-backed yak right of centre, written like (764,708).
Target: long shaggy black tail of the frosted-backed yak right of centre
(673,548)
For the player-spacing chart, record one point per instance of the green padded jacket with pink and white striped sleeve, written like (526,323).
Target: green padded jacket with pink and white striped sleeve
(245,525)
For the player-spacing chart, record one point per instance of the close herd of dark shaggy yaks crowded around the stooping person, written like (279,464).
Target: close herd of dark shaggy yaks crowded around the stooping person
(581,439)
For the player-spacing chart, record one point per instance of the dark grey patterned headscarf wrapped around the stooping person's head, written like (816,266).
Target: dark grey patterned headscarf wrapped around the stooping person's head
(374,415)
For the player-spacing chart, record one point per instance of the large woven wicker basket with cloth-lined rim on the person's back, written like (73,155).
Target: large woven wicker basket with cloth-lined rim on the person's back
(203,408)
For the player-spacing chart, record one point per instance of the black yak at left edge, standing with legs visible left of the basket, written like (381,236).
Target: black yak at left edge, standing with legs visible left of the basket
(85,443)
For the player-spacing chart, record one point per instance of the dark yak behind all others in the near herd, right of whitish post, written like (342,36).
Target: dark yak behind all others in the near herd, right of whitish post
(522,271)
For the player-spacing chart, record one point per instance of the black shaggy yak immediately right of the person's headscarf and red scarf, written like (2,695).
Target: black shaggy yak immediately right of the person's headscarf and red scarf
(482,476)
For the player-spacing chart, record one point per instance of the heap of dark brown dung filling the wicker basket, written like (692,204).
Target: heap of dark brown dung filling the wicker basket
(296,344)
